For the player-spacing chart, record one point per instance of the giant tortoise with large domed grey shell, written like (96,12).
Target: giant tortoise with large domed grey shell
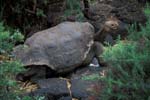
(59,49)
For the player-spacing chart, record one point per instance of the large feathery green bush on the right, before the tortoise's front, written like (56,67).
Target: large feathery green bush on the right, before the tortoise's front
(128,77)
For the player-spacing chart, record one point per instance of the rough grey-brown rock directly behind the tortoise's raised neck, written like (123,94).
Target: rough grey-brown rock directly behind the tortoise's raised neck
(98,14)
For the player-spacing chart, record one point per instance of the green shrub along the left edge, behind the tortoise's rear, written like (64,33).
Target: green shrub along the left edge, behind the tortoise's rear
(8,67)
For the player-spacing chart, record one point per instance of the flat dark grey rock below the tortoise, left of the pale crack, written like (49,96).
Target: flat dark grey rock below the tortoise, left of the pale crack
(53,89)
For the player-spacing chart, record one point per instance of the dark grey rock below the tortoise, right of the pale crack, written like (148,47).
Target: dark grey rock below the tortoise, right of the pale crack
(85,89)
